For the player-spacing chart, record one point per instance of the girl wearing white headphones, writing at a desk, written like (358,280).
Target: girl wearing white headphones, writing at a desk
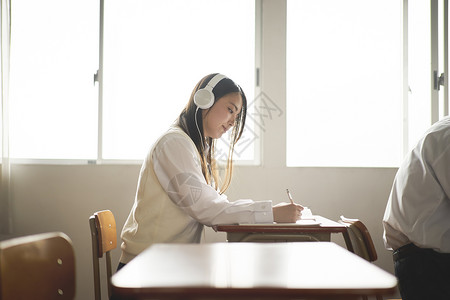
(179,189)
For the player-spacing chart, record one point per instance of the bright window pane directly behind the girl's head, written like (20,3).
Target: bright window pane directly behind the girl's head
(154,54)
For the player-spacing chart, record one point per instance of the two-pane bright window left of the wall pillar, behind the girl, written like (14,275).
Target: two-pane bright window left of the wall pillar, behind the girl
(154,53)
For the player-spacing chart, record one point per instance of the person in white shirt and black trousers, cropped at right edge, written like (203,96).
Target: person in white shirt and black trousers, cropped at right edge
(417,217)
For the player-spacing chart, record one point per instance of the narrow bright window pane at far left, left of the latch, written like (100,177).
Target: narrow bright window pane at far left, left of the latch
(54,54)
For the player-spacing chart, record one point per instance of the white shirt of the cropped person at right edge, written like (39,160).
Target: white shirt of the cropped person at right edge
(418,209)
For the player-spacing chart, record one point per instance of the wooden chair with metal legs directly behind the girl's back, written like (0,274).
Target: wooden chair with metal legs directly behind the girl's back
(104,239)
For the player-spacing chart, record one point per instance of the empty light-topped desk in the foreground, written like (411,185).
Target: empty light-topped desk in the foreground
(316,270)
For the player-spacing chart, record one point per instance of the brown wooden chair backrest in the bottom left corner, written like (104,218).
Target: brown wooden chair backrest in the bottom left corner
(40,266)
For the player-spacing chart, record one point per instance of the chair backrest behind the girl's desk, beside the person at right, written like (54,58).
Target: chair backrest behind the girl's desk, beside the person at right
(360,238)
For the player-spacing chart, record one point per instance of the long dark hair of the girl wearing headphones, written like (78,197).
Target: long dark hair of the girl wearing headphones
(187,121)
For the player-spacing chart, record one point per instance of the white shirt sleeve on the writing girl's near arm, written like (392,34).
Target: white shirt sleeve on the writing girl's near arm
(177,166)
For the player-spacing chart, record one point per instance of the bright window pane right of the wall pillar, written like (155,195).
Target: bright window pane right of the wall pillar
(344,83)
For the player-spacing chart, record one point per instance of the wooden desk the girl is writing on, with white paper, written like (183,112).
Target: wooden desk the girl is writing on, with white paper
(283,232)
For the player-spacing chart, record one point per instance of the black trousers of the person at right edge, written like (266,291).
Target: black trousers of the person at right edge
(422,273)
